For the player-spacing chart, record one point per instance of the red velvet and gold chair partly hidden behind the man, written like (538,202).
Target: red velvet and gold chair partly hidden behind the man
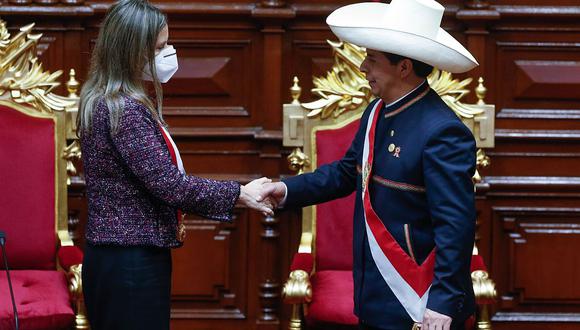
(320,285)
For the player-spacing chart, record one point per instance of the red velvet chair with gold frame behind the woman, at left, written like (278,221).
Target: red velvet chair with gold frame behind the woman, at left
(44,264)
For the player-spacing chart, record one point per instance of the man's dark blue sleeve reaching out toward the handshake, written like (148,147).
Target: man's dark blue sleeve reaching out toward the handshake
(330,181)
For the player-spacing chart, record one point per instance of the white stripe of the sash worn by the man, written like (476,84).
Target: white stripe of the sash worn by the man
(409,299)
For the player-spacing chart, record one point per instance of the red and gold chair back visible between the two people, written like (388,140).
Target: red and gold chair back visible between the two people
(325,133)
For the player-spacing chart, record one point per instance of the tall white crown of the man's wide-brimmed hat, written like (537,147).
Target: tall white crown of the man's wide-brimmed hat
(420,17)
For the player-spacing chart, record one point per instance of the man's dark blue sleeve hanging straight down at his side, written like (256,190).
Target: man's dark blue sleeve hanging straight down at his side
(449,165)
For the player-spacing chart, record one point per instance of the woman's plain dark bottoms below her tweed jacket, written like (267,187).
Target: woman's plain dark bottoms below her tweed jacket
(127,288)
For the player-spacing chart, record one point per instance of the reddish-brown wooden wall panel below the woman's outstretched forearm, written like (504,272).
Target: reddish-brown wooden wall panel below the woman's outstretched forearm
(210,272)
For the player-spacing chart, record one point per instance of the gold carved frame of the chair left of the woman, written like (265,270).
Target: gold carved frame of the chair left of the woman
(28,88)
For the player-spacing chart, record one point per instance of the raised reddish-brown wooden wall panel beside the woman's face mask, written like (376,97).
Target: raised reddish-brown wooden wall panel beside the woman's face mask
(213,79)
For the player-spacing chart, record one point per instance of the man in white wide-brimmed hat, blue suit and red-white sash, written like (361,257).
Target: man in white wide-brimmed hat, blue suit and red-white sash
(411,164)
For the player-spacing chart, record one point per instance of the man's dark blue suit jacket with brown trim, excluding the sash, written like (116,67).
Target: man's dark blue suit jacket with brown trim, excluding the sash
(429,187)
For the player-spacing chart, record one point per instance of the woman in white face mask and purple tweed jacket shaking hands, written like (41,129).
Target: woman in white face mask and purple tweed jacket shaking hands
(136,185)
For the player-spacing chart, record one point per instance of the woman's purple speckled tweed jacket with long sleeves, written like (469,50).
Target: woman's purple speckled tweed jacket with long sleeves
(133,188)
